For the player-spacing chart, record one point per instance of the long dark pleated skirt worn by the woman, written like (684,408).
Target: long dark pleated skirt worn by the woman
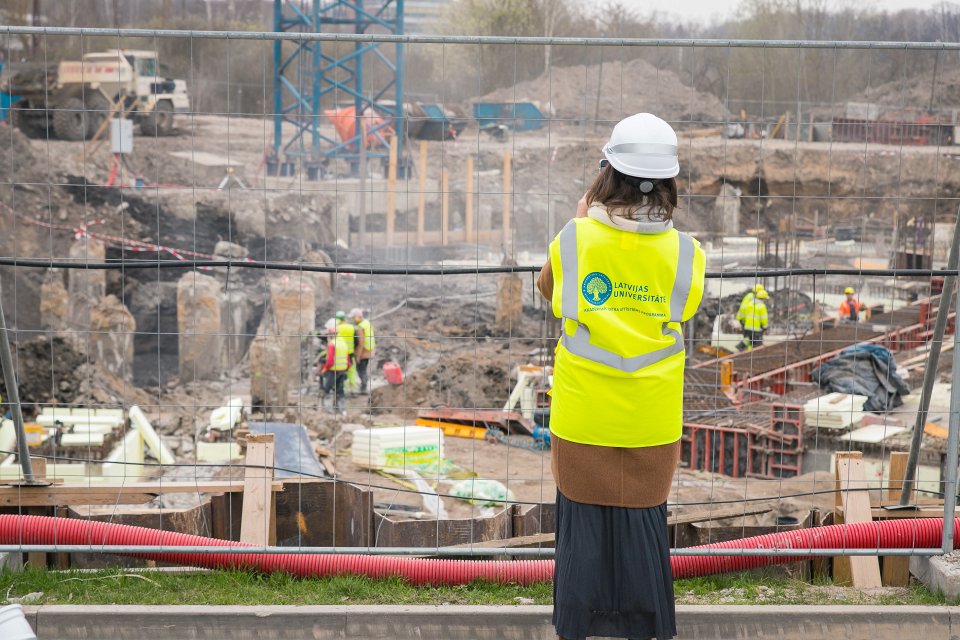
(612,576)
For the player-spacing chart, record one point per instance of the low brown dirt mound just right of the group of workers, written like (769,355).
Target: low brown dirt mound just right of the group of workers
(467,381)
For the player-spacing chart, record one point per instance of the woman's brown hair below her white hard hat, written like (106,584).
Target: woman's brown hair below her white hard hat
(617,190)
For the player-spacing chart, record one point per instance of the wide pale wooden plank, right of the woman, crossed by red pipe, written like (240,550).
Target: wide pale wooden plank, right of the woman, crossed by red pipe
(863,571)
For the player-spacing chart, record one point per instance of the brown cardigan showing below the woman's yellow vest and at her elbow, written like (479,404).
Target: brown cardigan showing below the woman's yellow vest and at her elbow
(612,476)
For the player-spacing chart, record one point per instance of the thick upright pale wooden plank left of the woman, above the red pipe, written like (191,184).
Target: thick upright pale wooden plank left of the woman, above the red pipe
(258,521)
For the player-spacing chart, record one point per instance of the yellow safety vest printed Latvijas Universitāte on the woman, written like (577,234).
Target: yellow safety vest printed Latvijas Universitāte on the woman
(622,294)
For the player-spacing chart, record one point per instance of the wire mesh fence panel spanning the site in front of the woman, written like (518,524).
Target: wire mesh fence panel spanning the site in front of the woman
(170,268)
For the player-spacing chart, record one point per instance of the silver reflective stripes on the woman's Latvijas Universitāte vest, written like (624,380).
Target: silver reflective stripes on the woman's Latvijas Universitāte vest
(579,343)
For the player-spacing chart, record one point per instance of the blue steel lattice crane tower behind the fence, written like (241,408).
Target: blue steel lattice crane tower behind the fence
(308,74)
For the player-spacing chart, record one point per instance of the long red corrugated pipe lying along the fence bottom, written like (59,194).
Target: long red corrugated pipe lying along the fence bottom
(920,533)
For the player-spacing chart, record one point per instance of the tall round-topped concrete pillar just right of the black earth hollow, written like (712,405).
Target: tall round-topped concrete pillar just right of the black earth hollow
(199,301)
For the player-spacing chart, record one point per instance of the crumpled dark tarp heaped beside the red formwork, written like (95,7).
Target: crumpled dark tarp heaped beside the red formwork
(866,370)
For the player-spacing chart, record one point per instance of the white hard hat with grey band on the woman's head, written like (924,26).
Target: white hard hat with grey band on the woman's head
(643,146)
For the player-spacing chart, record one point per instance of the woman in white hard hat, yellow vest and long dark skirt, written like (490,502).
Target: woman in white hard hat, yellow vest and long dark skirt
(622,280)
